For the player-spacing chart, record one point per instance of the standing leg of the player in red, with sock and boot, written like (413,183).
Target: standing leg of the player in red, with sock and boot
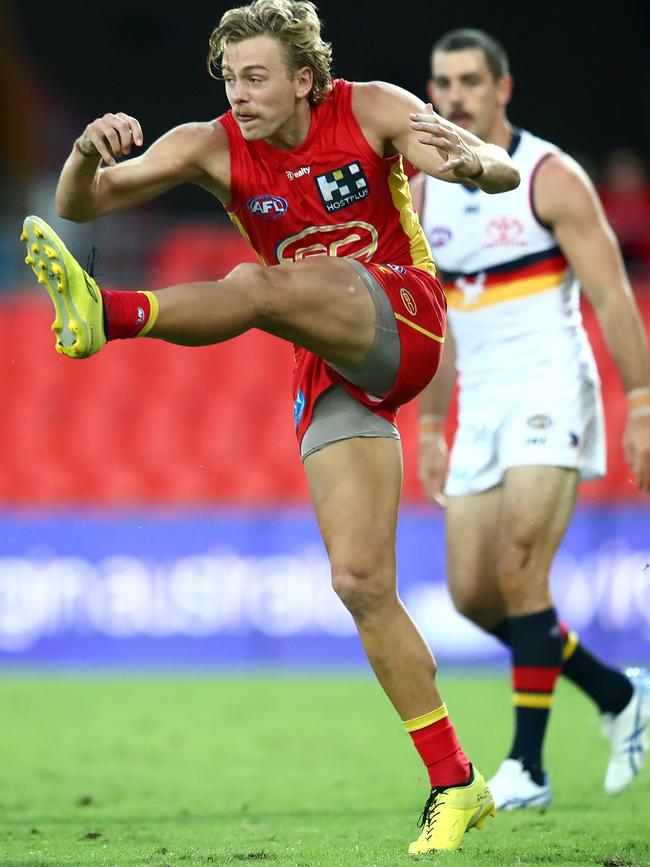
(355,486)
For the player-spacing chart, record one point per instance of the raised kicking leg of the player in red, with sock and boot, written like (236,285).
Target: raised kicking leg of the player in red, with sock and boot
(320,303)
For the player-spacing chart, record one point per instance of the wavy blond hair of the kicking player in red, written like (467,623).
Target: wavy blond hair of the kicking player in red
(294,23)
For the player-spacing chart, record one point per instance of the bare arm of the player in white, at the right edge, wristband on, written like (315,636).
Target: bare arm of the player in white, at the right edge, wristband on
(565,199)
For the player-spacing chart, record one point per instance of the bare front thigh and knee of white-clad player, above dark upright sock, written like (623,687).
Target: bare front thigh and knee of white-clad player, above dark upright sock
(536,508)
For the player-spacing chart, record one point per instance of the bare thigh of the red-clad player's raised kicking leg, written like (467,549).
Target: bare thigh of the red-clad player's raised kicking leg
(322,304)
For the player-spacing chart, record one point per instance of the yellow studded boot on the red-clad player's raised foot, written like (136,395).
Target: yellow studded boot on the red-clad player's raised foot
(79,322)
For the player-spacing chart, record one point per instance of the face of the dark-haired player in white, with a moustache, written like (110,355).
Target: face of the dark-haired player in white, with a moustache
(464,91)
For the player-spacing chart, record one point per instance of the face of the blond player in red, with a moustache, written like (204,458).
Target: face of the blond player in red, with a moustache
(262,93)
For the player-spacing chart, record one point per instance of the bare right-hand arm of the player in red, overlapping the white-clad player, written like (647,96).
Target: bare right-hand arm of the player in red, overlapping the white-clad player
(394,120)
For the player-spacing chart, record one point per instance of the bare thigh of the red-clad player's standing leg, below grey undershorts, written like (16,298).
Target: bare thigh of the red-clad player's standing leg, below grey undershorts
(355,486)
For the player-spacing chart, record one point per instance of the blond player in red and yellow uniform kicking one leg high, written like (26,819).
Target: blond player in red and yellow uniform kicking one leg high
(311,173)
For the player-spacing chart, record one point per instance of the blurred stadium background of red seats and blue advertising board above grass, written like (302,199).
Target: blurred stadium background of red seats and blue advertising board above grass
(153,509)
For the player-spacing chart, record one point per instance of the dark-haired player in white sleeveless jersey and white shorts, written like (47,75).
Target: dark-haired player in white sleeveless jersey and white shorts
(530,420)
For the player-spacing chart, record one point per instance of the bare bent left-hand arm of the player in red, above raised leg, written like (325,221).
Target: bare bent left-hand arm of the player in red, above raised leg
(192,153)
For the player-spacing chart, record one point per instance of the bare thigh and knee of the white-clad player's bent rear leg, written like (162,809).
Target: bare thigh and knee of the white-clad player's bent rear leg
(471,524)
